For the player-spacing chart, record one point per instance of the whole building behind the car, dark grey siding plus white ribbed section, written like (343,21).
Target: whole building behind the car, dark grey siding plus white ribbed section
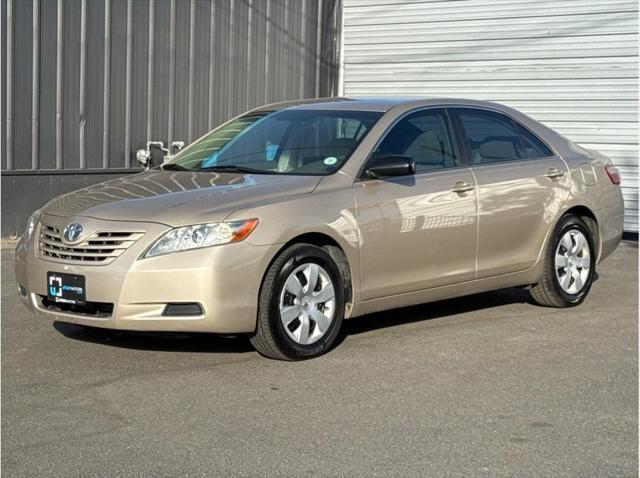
(85,83)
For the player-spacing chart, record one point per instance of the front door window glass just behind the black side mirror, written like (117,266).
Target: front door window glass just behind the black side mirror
(425,137)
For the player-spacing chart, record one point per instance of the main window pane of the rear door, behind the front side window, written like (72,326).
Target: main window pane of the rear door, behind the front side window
(491,137)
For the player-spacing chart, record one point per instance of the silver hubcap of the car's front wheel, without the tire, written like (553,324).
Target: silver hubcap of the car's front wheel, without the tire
(307,304)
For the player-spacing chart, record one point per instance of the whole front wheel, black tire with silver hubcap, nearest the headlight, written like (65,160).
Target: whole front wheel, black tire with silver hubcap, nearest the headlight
(286,292)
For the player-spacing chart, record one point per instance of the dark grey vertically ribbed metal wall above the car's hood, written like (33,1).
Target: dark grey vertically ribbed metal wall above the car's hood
(87,82)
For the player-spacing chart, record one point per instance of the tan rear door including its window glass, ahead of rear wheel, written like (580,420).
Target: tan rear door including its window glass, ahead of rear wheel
(520,187)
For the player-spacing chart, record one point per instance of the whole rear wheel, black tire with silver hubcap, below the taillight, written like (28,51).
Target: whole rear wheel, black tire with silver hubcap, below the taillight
(564,282)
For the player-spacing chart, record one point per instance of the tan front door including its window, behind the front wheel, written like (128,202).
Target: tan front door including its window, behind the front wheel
(417,232)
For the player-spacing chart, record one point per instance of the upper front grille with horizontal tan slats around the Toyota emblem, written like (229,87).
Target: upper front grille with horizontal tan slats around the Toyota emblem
(99,248)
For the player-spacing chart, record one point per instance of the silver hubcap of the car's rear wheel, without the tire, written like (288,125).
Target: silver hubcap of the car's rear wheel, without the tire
(573,261)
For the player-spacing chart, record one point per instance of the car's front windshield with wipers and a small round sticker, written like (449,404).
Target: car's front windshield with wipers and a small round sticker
(301,142)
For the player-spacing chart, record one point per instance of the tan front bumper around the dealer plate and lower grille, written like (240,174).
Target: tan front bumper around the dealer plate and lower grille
(224,280)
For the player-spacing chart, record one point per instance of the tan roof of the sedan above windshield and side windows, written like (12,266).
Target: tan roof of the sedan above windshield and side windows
(380,103)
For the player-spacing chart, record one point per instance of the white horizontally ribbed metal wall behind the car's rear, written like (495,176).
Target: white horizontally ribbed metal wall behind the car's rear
(572,64)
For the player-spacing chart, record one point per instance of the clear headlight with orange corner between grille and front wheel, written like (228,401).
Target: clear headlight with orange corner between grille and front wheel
(201,235)
